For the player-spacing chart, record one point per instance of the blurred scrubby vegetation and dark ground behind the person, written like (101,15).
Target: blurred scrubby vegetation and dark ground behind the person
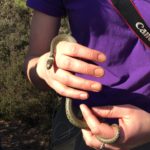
(25,112)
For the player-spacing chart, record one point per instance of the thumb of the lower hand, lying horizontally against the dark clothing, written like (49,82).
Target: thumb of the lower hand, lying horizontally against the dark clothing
(111,111)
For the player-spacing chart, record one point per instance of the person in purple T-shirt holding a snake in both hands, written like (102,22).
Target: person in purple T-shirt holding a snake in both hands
(107,70)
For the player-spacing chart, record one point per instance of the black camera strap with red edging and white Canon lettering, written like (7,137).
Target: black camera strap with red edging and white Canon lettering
(133,19)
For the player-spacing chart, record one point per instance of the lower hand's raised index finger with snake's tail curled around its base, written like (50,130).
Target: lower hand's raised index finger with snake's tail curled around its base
(97,128)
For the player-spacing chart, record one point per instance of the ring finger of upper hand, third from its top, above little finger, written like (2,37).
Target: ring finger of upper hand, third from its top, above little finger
(73,81)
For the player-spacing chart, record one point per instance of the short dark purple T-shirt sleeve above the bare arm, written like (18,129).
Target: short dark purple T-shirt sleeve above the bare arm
(49,7)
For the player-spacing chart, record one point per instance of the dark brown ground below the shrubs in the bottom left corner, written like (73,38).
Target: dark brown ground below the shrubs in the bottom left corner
(16,135)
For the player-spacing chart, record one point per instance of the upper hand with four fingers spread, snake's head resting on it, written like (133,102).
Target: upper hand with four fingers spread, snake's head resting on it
(67,62)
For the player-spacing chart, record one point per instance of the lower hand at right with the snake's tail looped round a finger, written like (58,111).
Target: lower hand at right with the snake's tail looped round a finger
(134,126)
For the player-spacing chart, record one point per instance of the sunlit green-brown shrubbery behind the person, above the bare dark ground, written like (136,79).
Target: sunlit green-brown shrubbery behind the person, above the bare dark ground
(18,98)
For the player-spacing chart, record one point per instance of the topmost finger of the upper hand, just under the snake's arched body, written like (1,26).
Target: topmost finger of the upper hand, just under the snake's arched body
(77,50)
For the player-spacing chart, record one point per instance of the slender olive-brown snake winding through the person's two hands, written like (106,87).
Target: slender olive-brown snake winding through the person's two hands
(71,116)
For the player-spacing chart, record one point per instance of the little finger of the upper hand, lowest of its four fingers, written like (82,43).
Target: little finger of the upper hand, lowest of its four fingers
(67,91)
